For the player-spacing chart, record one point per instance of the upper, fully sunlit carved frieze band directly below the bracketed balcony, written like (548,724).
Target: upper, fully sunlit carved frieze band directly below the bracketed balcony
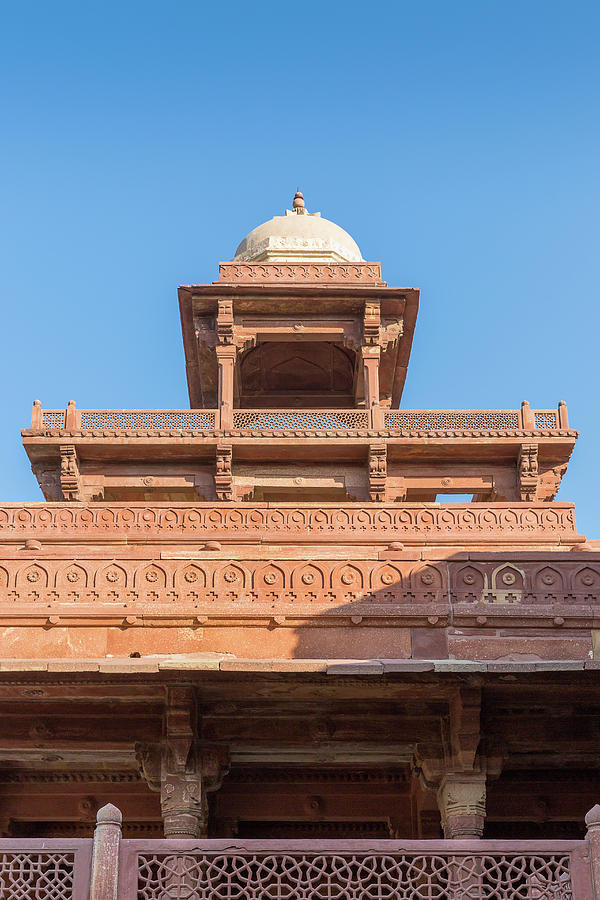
(502,522)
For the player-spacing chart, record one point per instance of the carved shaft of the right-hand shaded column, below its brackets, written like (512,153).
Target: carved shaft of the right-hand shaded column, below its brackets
(461,799)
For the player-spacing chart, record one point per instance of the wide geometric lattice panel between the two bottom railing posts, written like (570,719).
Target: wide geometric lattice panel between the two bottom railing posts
(349,876)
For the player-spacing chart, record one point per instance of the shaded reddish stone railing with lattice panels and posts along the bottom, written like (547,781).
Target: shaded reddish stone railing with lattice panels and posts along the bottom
(234,868)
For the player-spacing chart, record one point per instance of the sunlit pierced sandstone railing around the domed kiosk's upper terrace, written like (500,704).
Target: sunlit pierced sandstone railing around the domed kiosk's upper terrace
(294,421)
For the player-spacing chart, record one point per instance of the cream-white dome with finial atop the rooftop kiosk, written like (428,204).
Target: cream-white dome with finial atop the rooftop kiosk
(296,237)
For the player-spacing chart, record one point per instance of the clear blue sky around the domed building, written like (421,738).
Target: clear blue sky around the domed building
(456,141)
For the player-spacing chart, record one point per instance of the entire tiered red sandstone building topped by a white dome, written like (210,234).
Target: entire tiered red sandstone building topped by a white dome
(266,618)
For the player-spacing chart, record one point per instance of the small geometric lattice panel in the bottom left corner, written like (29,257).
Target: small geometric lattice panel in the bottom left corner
(36,876)
